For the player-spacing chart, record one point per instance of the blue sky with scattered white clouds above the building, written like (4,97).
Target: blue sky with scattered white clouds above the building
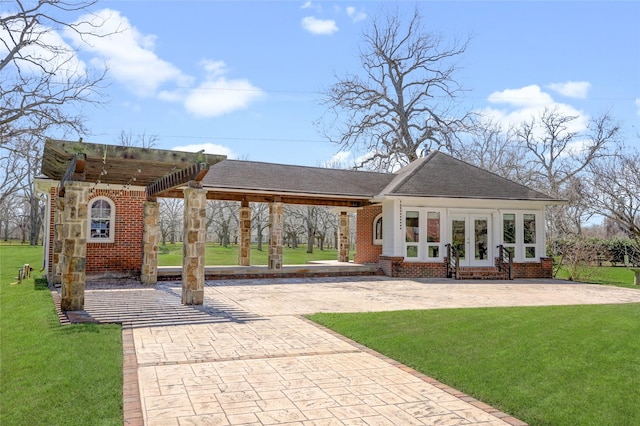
(243,78)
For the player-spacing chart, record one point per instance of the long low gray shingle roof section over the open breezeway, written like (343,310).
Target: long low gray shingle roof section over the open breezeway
(282,178)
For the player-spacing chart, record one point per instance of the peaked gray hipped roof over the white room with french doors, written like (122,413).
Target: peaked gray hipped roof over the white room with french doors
(440,175)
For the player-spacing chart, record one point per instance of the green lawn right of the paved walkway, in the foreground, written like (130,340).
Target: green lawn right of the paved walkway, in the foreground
(545,365)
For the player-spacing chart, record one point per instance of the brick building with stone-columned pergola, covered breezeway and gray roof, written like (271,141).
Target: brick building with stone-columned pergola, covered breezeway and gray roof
(437,217)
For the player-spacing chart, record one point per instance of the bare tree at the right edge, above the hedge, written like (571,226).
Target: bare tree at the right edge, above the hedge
(613,191)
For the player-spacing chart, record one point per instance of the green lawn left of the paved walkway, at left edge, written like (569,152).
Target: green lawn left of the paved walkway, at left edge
(52,374)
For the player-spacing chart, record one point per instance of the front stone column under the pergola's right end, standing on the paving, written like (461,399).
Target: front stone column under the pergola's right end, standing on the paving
(193,246)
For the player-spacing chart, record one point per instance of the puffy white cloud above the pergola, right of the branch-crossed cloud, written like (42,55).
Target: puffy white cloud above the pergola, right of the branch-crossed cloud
(217,95)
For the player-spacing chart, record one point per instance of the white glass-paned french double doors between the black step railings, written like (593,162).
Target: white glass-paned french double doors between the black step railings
(471,236)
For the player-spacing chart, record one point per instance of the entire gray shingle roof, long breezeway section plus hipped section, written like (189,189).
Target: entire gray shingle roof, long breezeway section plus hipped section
(437,175)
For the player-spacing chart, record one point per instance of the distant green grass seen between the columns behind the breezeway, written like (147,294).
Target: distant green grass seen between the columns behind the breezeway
(171,255)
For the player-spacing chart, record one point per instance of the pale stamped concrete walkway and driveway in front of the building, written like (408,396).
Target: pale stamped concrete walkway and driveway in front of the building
(247,357)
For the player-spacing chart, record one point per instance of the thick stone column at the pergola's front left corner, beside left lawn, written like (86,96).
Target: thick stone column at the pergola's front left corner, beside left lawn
(74,247)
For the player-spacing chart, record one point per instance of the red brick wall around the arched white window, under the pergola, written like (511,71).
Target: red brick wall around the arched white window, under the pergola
(124,255)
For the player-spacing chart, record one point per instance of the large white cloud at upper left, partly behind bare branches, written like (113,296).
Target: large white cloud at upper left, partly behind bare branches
(126,52)
